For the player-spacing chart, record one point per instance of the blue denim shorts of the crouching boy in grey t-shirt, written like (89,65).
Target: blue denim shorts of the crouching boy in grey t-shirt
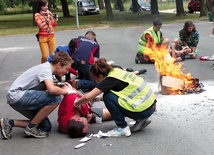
(32,101)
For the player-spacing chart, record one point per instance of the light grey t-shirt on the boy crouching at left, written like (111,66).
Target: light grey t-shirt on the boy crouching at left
(32,79)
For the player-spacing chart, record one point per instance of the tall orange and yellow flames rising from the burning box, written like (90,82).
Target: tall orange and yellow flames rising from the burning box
(166,66)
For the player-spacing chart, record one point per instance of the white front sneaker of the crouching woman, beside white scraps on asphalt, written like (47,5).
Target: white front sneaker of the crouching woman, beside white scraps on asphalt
(119,132)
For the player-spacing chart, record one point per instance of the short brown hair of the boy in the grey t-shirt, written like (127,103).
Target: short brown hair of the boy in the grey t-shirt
(62,57)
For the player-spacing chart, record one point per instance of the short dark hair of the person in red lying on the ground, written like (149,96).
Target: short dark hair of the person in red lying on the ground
(75,129)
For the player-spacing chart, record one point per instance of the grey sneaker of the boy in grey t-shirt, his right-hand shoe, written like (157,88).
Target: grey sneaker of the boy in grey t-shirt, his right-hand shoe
(35,132)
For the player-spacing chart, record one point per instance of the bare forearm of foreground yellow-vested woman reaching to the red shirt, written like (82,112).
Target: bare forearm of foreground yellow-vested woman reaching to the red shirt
(88,97)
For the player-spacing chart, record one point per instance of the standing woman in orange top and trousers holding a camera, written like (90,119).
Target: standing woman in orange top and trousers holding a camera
(45,21)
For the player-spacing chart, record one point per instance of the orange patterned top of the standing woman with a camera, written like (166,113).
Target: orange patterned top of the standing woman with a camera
(40,19)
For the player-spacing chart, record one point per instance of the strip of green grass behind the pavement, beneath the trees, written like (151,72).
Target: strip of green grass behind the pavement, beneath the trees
(23,23)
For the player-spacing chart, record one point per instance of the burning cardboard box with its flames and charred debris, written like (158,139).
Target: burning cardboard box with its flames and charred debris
(173,80)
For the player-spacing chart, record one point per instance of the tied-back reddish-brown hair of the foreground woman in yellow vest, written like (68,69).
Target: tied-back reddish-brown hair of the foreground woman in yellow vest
(100,67)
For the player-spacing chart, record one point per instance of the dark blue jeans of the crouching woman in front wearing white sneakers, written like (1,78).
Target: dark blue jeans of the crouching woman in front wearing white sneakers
(118,113)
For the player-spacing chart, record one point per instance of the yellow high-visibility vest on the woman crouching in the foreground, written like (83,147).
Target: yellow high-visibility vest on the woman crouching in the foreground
(135,97)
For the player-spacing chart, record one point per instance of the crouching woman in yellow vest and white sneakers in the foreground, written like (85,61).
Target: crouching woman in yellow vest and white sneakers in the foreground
(124,94)
